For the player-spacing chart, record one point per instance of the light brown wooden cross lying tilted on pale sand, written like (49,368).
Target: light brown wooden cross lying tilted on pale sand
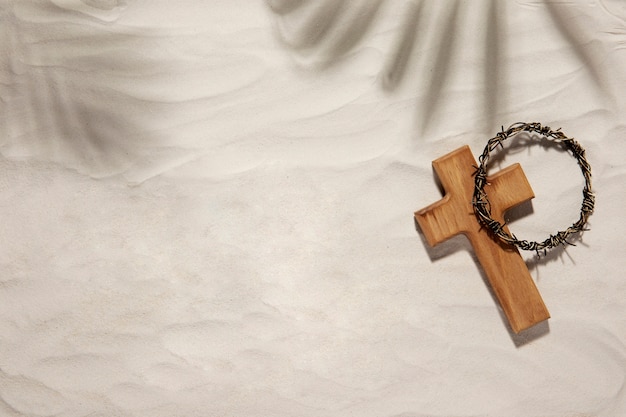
(505,269)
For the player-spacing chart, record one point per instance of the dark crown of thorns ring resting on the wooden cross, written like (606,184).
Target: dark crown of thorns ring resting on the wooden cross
(481,204)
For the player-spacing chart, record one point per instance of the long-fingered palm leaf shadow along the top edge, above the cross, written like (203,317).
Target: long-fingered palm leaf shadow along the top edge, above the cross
(329,27)
